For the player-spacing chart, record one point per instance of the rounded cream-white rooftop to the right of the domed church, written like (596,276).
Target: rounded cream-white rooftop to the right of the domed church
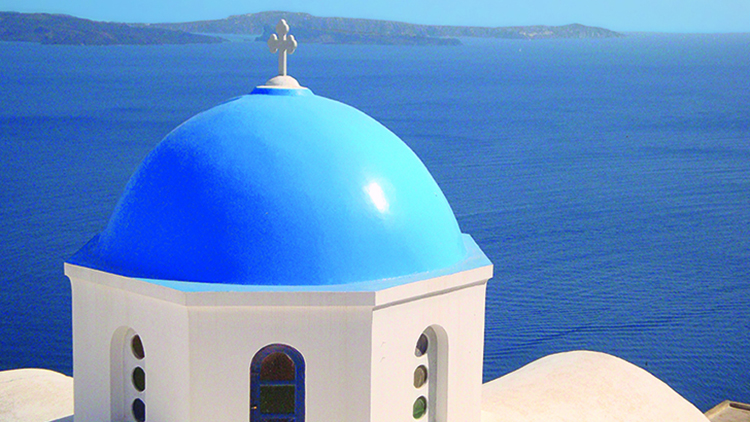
(583,386)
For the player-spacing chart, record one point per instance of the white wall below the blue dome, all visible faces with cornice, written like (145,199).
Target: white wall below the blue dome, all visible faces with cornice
(358,346)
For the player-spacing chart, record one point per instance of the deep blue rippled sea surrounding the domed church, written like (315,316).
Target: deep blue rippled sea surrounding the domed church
(607,180)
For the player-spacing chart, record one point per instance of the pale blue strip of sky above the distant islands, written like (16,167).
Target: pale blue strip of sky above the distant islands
(620,15)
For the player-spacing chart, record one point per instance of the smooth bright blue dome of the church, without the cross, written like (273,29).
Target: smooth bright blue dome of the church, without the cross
(279,187)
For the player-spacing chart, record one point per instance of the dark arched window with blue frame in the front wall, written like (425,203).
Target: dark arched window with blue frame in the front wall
(277,385)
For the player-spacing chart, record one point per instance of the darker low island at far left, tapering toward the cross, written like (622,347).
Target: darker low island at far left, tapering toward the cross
(63,29)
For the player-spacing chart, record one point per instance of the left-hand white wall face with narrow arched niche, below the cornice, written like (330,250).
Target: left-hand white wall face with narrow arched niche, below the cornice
(98,311)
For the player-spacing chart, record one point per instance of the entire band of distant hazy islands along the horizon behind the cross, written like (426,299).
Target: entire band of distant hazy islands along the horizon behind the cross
(62,29)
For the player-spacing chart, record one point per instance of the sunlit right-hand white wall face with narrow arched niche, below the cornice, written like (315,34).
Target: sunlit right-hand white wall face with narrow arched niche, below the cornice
(396,329)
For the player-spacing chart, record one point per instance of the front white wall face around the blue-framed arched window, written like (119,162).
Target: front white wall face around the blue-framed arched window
(334,341)
